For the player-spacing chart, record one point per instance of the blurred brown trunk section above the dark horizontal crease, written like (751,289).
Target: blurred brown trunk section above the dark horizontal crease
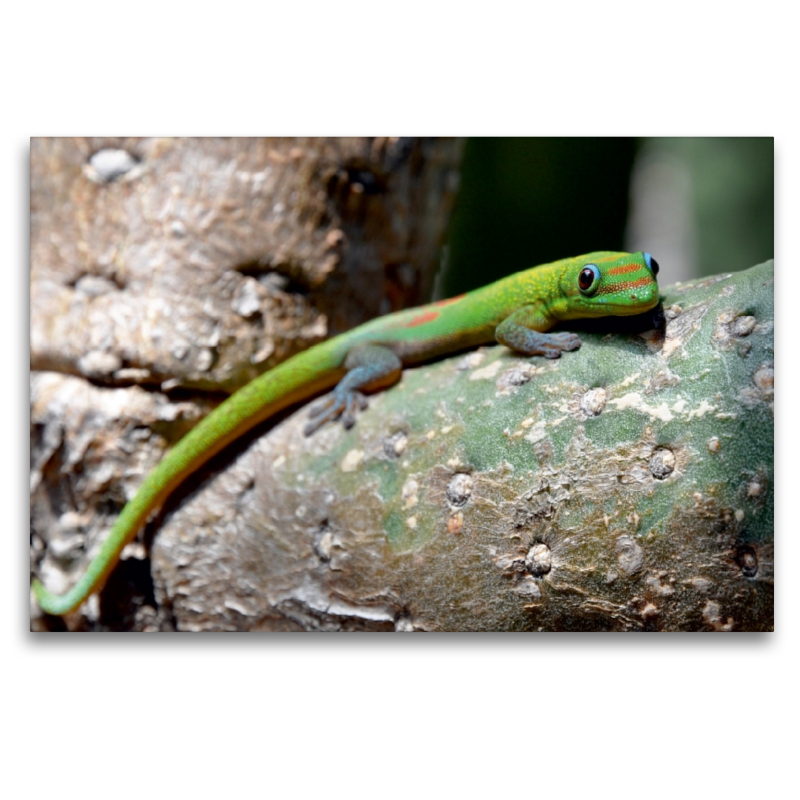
(203,262)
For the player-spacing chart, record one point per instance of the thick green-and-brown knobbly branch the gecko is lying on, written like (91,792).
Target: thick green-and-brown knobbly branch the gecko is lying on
(627,486)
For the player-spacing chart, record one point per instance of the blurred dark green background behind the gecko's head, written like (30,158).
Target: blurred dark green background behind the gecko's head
(701,206)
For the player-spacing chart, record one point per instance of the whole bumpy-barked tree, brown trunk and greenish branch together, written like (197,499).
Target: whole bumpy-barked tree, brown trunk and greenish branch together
(626,486)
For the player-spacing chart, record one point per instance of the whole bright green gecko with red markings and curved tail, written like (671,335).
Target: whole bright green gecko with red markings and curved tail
(515,311)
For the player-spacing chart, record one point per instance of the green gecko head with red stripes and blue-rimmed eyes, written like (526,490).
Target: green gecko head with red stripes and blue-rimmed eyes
(608,284)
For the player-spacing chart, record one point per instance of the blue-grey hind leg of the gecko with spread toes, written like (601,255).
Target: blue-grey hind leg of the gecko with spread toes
(369,367)
